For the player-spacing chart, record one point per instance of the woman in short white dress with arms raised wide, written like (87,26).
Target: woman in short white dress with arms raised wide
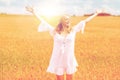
(62,60)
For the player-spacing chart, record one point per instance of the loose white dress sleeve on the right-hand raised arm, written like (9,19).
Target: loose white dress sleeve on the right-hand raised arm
(80,27)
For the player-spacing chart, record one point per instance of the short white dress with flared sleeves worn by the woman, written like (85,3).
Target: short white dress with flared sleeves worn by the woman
(63,59)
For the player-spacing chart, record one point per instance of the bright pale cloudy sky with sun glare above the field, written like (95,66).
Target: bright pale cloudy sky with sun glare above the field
(56,7)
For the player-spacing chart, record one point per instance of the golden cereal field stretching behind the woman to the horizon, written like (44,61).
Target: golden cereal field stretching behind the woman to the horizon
(25,53)
